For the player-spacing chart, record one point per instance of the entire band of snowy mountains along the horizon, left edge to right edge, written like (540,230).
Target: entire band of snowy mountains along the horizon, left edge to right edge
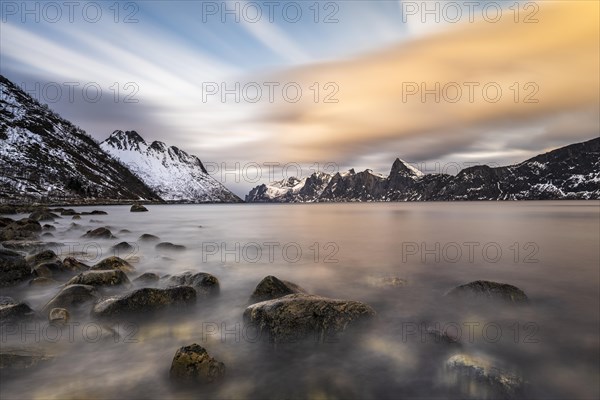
(45,158)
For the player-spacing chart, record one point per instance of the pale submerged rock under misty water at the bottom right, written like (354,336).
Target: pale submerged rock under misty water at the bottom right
(479,378)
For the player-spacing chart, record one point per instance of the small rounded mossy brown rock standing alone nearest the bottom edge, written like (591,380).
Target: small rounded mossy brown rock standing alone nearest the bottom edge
(193,364)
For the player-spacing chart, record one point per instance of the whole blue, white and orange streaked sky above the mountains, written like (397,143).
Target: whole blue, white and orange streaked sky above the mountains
(264,90)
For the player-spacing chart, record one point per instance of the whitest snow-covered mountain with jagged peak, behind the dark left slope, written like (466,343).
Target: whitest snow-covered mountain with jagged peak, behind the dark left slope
(171,172)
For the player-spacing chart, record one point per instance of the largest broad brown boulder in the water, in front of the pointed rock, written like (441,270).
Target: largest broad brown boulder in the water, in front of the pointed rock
(302,316)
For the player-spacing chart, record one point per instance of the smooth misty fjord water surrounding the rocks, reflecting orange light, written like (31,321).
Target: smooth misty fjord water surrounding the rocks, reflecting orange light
(548,249)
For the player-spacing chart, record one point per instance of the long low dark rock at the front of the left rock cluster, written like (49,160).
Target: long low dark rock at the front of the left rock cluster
(144,300)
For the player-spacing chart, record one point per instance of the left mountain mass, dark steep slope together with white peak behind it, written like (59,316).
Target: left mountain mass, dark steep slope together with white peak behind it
(45,158)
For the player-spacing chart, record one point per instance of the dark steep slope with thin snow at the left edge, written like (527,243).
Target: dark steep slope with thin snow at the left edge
(44,157)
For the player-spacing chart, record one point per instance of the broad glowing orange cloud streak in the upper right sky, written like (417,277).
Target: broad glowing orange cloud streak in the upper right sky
(554,64)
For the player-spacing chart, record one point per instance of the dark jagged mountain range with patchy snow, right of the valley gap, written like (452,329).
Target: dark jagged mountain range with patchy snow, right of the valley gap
(571,172)
